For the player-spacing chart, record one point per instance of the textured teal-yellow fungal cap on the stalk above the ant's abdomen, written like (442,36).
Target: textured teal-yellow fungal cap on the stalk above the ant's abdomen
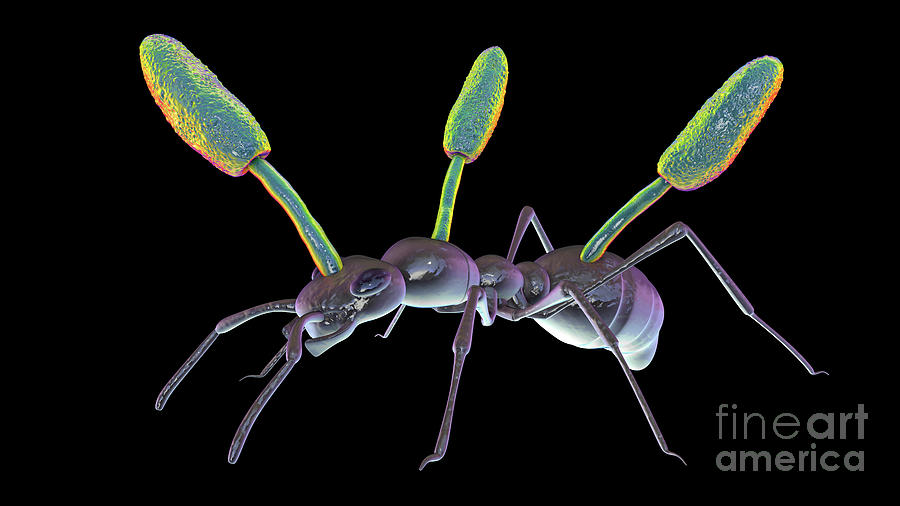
(716,134)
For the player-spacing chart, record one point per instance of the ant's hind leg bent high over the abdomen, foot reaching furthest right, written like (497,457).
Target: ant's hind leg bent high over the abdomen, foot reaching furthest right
(674,233)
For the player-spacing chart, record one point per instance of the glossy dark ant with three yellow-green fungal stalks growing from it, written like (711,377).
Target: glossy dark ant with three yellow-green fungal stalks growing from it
(582,295)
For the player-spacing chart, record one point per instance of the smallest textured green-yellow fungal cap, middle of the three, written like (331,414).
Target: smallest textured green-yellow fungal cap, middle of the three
(475,113)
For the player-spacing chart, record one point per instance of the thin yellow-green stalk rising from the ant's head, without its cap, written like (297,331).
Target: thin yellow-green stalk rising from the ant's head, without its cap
(320,249)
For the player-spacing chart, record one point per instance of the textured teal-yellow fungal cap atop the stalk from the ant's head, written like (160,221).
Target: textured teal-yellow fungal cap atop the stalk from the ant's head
(203,113)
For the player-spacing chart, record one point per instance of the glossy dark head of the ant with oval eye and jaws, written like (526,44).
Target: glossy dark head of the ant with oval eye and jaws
(364,289)
